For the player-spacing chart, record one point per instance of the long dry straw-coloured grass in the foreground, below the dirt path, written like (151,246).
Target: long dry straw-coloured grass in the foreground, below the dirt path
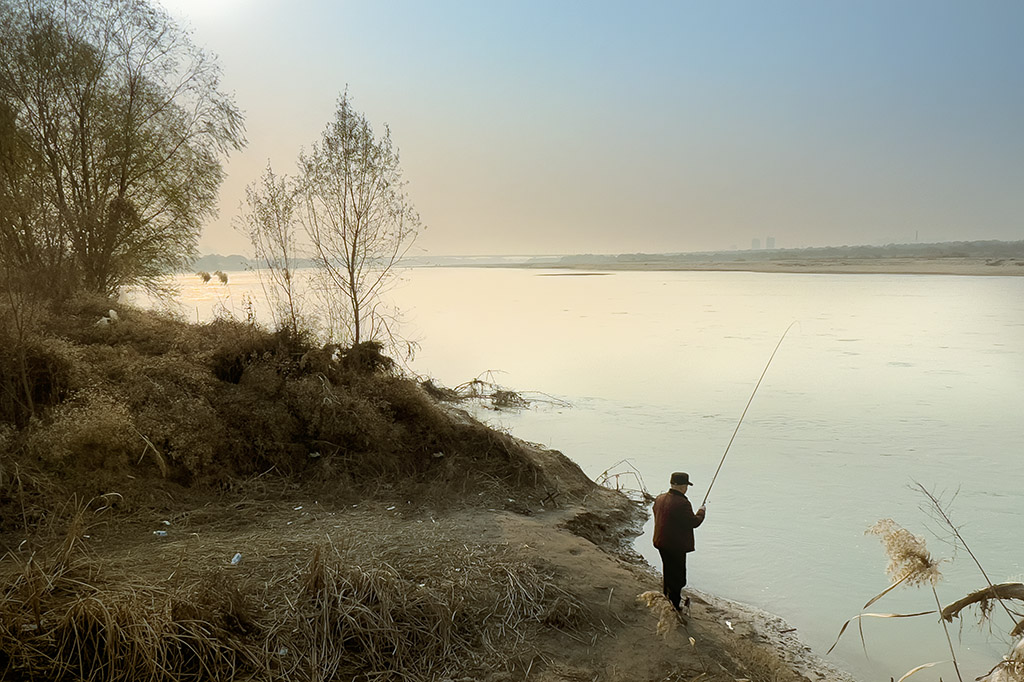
(358,610)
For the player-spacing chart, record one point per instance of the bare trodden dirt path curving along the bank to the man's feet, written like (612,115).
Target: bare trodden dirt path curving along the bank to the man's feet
(617,640)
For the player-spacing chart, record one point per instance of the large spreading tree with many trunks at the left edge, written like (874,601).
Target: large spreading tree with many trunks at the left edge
(120,127)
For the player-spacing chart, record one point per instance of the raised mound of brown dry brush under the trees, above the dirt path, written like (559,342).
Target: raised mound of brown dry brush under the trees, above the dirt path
(153,398)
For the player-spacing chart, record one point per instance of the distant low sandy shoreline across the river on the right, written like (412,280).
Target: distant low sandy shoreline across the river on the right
(946,267)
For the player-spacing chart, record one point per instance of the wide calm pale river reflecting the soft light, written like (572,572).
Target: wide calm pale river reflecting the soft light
(884,380)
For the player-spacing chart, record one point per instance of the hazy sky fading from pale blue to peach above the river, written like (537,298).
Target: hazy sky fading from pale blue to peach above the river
(610,127)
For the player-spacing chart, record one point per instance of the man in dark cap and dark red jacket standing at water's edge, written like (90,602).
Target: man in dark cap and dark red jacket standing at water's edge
(674,524)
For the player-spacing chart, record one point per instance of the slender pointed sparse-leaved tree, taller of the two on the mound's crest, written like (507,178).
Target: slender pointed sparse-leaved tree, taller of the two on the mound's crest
(359,219)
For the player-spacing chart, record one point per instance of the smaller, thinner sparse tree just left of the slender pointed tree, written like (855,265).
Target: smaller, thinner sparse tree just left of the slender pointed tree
(270,221)
